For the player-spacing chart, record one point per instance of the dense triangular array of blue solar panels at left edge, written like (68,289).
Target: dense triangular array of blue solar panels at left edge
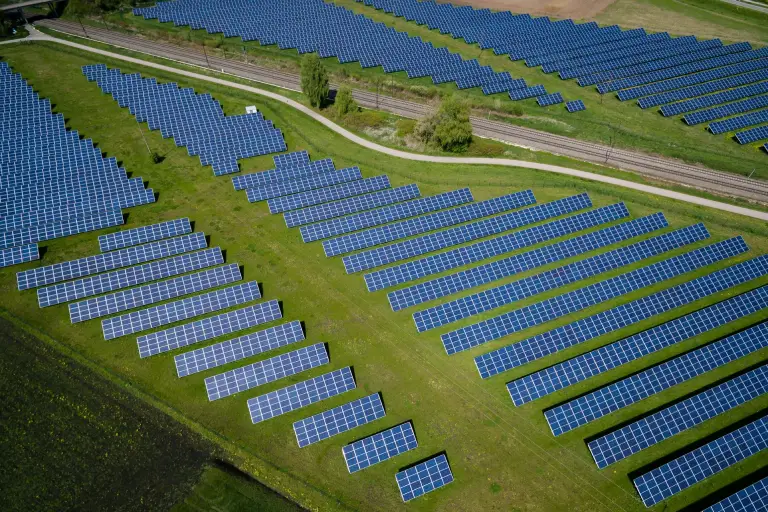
(54,184)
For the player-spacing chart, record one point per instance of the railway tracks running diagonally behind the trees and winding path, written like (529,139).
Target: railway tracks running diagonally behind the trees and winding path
(670,171)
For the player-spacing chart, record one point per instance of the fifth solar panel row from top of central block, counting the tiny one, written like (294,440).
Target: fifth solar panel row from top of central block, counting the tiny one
(351,205)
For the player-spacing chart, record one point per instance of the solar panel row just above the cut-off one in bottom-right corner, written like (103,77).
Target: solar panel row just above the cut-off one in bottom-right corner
(703,462)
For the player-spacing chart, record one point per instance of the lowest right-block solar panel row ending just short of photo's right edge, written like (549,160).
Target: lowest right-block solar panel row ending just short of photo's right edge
(576,300)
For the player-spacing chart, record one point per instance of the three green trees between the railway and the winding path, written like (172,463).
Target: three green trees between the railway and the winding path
(448,129)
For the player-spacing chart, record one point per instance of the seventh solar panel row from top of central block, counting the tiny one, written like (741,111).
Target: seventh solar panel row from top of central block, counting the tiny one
(418,225)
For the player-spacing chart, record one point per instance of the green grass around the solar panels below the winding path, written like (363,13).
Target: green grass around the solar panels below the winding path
(503,458)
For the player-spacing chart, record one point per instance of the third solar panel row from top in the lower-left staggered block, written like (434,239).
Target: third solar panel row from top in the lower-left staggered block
(131,276)
